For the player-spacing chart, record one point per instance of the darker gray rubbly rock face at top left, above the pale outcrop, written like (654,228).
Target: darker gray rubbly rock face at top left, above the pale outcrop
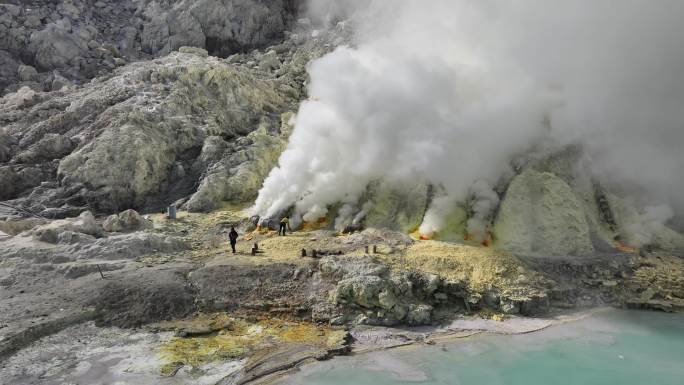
(84,40)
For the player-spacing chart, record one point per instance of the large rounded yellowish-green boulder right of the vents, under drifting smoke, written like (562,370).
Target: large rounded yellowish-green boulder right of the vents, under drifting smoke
(540,214)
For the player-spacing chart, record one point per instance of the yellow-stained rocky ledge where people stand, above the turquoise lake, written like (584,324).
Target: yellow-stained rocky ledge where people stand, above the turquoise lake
(130,271)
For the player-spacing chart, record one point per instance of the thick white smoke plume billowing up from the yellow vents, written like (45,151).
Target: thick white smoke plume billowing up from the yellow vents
(448,90)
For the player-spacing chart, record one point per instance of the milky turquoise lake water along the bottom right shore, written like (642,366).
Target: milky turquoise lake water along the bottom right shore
(610,348)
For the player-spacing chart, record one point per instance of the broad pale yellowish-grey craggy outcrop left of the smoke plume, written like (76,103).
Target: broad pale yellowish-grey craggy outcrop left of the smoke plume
(153,132)
